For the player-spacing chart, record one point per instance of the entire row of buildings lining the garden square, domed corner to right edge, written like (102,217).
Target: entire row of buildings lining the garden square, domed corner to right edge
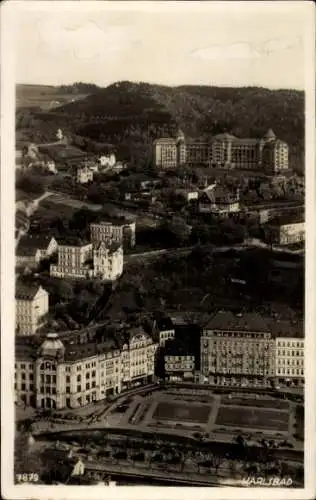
(234,351)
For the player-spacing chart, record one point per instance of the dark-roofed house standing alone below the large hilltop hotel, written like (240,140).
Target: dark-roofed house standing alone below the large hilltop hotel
(218,200)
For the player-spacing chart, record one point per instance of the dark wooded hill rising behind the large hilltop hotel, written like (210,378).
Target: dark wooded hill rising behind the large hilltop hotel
(131,115)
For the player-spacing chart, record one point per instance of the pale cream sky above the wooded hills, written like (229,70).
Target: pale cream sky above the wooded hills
(171,43)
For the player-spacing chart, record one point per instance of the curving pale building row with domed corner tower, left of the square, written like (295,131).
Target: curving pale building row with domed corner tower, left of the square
(60,374)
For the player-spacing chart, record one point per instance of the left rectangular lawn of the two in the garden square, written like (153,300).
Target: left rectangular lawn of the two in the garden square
(179,412)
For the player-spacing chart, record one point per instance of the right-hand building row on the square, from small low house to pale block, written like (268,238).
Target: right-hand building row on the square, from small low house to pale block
(235,350)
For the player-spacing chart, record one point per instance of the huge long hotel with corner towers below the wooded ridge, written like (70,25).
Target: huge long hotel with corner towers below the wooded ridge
(223,151)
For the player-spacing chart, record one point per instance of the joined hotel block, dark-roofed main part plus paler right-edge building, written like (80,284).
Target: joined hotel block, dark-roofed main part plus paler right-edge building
(248,350)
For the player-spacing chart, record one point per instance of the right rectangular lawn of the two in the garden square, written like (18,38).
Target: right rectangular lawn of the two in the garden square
(253,418)
